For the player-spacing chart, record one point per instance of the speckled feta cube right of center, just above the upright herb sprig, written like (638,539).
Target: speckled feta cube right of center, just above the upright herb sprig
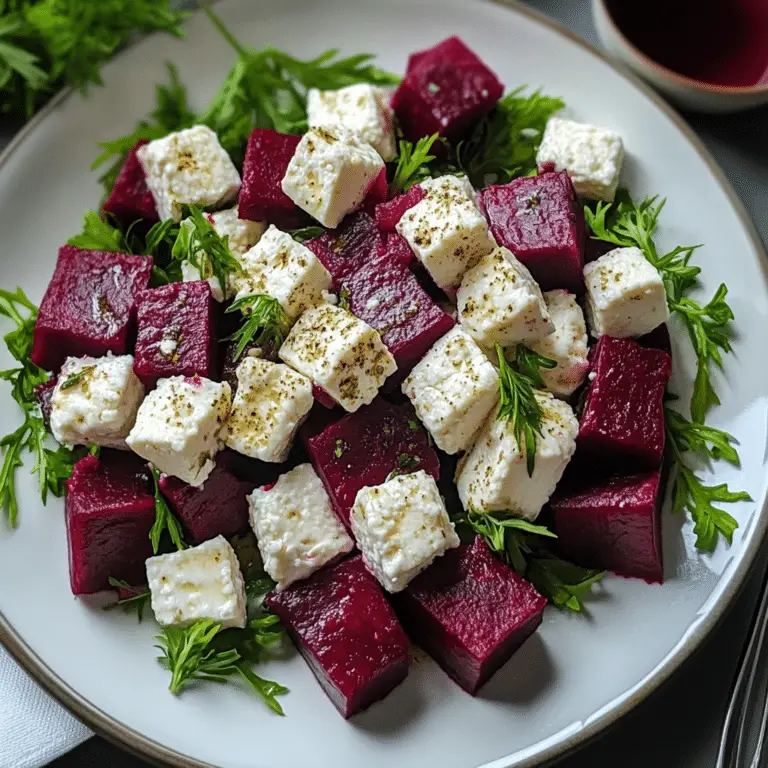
(499,302)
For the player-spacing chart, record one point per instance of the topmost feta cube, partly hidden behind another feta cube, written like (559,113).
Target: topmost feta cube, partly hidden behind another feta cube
(362,109)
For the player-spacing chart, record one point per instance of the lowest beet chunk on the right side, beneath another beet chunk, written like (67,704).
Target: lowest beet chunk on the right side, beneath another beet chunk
(614,524)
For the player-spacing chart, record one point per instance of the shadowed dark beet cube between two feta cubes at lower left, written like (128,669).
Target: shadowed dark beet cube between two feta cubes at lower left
(218,507)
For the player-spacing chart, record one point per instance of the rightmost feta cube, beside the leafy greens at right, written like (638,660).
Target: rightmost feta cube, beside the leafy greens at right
(625,295)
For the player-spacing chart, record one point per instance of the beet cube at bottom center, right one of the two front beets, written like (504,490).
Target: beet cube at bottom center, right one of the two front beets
(470,612)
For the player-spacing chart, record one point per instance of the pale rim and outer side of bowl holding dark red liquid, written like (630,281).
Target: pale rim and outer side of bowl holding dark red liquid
(684,91)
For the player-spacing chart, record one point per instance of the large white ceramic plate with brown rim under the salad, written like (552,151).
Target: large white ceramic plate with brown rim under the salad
(578,673)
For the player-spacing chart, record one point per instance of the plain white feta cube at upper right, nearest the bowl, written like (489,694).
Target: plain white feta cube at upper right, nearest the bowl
(592,156)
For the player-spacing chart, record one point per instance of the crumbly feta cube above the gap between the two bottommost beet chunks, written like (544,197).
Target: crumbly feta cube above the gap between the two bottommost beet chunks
(401,526)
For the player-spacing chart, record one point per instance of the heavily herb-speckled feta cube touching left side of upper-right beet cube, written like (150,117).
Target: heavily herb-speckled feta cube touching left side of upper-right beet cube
(446,230)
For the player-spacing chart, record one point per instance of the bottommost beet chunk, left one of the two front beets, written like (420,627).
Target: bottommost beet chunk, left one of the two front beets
(347,632)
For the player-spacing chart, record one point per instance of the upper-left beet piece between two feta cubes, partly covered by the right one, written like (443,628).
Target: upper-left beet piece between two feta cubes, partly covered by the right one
(261,194)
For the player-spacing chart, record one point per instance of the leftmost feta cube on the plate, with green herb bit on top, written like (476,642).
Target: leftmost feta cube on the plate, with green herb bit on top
(95,401)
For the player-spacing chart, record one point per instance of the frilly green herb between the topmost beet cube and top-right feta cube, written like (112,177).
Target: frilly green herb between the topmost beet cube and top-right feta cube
(505,143)
